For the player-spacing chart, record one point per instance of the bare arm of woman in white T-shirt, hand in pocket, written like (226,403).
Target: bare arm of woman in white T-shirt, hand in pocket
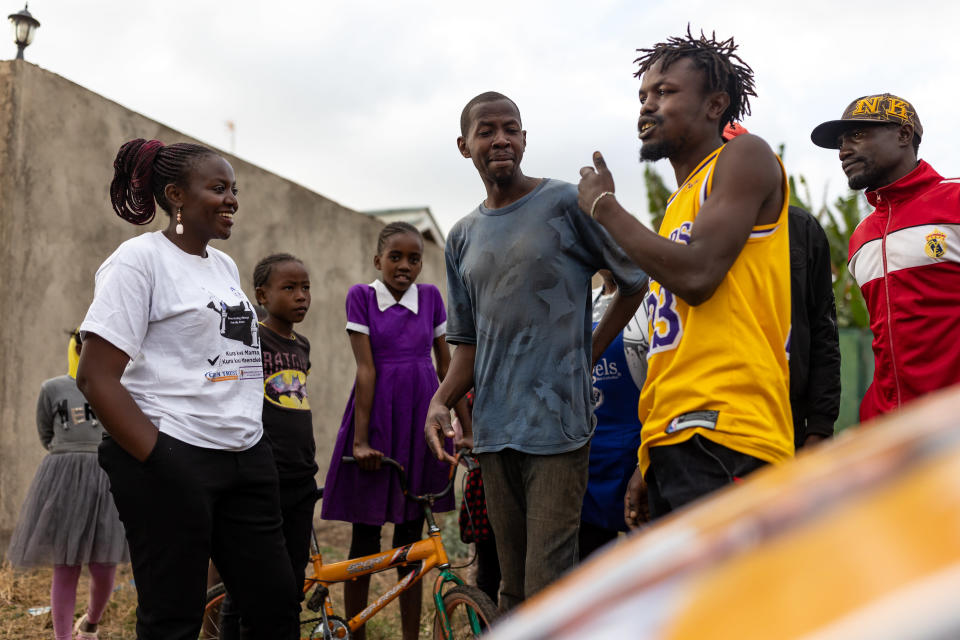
(98,378)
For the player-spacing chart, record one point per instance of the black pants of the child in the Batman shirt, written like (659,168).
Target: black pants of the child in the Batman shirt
(298,498)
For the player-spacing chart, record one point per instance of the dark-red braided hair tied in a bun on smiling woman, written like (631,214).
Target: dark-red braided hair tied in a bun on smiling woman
(141,172)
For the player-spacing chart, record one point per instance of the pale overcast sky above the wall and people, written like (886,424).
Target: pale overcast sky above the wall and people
(360,101)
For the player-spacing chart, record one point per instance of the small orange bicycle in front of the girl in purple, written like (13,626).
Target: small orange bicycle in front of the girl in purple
(462,611)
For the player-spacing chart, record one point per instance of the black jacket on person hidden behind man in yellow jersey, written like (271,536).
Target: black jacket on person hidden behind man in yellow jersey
(814,343)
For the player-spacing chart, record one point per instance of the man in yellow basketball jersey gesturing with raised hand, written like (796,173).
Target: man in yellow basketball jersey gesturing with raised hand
(716,404)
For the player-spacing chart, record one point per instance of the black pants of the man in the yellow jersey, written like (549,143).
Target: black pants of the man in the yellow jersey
(681,473)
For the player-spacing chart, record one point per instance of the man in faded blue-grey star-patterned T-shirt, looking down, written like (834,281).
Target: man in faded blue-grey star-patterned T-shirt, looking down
(518,272)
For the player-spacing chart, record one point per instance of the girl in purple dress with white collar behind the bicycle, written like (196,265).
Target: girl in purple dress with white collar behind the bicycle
(392,323)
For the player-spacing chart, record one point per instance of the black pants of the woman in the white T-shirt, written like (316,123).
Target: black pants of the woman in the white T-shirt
(186,504)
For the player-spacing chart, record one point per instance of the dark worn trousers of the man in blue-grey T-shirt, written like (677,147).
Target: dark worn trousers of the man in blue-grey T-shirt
(534,504)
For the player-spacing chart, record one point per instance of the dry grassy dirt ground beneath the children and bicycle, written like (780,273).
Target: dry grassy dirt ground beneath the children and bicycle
(21,591)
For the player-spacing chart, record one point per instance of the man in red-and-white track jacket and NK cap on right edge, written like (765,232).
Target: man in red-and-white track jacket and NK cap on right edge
(906,254)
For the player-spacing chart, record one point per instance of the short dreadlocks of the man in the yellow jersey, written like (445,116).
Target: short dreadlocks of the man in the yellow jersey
(722,68)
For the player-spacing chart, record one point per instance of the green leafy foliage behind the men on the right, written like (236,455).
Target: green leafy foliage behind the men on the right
(837,221)
